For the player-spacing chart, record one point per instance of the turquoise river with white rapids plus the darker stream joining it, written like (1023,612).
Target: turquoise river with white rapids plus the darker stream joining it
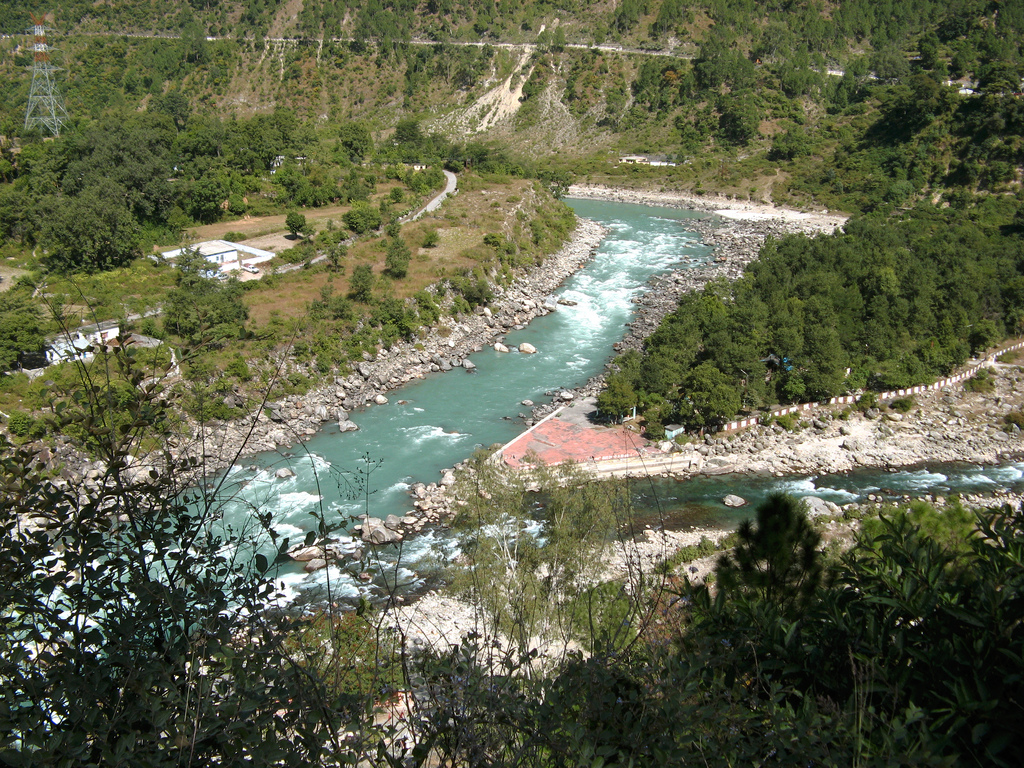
(437,422)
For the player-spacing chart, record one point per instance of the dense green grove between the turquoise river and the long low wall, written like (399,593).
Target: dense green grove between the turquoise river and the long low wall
(894,302)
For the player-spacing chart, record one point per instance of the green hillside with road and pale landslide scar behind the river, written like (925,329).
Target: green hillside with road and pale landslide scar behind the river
(778,100)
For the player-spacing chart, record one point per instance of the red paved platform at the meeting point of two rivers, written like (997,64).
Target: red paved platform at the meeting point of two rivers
(556,442)
